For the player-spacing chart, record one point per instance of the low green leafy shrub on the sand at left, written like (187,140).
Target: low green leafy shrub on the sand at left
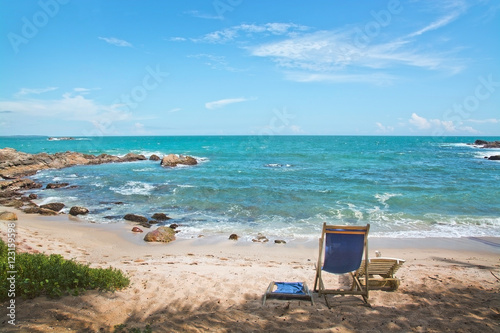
(53,276)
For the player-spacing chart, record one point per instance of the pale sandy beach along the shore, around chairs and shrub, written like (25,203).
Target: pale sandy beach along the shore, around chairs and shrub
(447,285)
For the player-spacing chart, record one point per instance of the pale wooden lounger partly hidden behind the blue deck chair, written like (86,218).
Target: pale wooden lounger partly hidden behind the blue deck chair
(381,273)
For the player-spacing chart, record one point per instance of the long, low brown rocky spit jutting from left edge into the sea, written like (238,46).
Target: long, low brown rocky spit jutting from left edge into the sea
(14,164)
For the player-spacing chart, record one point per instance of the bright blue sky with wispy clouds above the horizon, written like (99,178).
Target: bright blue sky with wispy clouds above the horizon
(237,67)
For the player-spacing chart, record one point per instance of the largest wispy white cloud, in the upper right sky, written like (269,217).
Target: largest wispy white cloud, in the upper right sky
(337,51)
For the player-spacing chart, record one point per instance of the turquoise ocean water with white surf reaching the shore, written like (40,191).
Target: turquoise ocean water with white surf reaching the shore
(286,186)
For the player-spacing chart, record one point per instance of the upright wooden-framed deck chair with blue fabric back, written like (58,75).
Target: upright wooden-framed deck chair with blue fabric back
(344,248)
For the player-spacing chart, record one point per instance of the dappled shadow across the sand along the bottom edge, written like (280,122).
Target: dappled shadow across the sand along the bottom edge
(411,309)
